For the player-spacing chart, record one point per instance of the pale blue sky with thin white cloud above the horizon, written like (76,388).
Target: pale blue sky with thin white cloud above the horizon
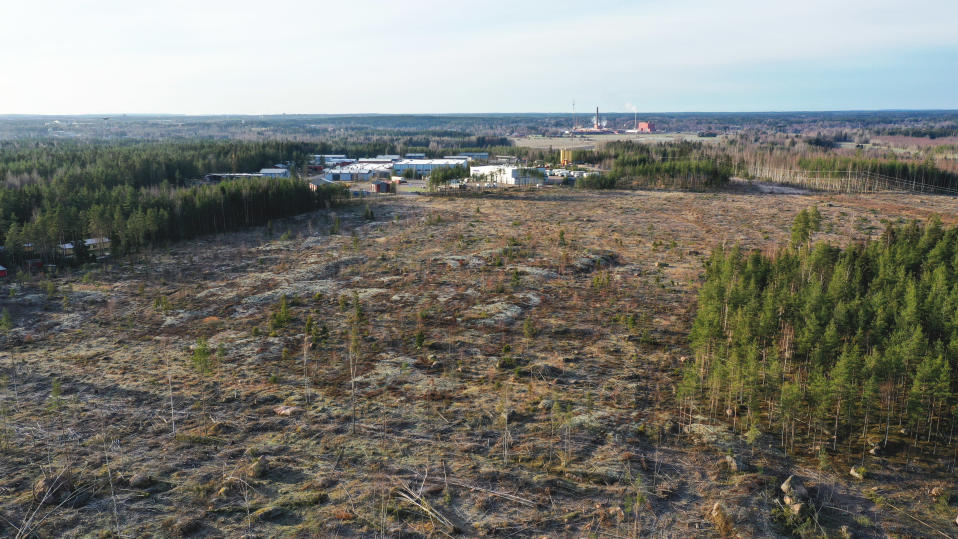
(466,56)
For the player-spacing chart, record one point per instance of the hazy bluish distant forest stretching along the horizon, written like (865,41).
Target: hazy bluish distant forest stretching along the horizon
(316,128)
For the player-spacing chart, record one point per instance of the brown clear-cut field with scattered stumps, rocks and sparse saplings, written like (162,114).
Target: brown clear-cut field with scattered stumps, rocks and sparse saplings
(500,366)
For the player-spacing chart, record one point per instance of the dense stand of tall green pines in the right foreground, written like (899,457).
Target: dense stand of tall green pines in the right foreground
(832,349)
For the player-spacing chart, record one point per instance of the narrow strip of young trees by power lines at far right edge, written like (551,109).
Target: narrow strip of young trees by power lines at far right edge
(923,173)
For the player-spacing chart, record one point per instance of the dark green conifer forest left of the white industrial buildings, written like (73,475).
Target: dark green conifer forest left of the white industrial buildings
(136,194)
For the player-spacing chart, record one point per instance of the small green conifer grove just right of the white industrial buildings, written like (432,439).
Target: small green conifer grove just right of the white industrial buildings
(664,166)
